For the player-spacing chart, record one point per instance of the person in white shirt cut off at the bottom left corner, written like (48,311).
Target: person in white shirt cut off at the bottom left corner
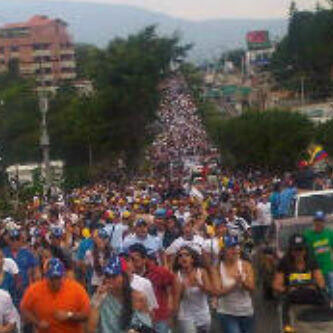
(9,317)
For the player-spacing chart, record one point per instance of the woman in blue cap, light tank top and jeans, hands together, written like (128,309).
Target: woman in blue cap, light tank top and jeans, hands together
(234,283)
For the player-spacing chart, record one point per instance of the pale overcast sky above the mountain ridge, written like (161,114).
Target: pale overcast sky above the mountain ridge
(205,9)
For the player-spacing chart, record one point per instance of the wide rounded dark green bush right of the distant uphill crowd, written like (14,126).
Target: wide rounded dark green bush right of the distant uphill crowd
(271,139)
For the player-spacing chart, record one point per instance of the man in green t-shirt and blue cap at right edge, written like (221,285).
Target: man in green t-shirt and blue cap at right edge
(320,242)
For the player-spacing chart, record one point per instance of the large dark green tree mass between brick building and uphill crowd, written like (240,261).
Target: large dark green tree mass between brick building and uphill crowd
(116,118)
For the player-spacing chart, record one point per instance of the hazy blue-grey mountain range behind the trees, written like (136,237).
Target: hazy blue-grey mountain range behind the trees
(99,23)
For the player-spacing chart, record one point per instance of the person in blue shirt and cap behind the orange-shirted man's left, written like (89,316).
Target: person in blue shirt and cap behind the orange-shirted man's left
(25,260)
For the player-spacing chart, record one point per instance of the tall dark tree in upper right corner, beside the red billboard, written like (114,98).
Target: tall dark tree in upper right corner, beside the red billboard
(307,50)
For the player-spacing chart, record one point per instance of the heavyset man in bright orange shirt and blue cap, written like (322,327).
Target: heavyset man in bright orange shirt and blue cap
(56,304)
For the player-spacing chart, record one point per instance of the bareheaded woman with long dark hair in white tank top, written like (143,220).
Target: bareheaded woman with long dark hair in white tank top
(193,313)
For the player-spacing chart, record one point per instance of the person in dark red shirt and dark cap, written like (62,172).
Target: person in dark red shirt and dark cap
(164,285)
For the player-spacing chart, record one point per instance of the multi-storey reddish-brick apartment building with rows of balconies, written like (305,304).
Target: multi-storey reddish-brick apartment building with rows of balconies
(40,47)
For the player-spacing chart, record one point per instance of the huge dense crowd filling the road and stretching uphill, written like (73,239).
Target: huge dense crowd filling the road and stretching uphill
(161,253)
